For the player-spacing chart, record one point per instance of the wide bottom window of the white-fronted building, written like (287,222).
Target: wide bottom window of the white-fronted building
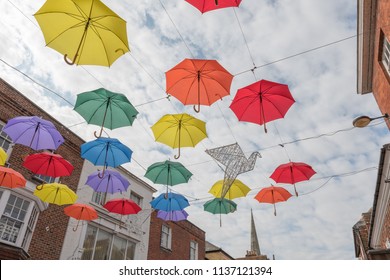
(102,245)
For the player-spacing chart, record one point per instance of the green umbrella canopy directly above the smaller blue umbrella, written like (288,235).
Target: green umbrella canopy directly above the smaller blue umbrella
(168,173)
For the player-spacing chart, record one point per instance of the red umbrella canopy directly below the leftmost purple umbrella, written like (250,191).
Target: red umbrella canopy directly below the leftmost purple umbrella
(48,164)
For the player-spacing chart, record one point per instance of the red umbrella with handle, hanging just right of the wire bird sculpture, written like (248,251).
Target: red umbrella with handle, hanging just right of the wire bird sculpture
(292,172)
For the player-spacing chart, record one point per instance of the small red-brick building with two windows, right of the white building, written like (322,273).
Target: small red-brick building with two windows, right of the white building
(175,240)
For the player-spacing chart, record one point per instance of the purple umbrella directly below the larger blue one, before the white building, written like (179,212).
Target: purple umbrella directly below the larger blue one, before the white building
(111,182)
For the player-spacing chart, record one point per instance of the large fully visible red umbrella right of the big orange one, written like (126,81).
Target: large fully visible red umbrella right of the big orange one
(262,102)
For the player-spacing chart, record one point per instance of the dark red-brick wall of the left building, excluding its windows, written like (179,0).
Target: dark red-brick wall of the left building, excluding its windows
(50,230)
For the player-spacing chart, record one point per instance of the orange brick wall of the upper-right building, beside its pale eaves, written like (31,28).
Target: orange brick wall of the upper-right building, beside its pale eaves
(381,80)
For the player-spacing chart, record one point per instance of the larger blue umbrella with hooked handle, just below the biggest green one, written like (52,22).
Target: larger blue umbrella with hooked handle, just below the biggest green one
(106,152)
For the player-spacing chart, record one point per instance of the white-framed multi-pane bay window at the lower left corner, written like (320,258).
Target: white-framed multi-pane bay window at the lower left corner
(18,219)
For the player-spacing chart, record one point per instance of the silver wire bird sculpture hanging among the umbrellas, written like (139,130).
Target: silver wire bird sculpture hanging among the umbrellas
(235,161)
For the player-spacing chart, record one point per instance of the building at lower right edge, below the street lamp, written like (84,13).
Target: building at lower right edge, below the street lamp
(372,232)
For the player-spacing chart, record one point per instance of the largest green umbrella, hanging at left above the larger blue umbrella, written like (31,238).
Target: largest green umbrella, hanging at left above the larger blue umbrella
(105,108)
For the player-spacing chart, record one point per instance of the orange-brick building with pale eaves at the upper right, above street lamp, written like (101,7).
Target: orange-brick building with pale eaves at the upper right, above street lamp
(373,47)
